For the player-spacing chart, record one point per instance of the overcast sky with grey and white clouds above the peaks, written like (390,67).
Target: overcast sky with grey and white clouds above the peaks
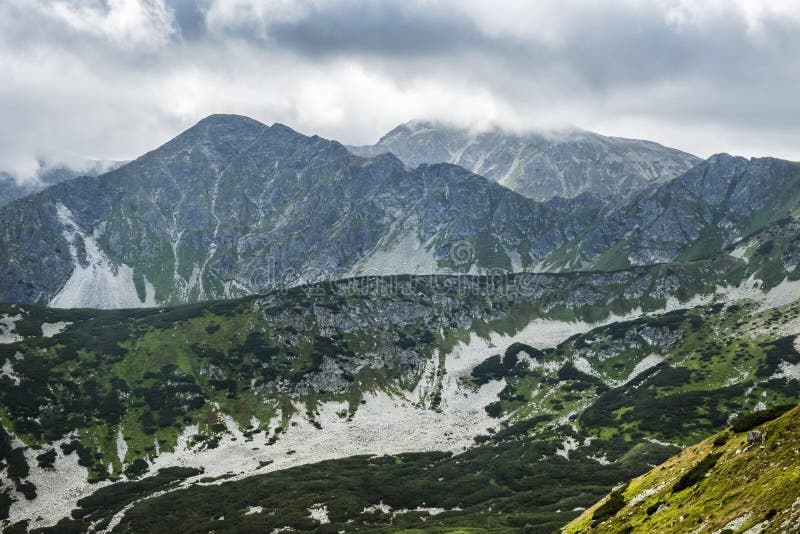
(112,79)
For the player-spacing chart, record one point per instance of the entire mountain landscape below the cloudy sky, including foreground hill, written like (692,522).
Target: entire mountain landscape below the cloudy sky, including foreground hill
(298,337)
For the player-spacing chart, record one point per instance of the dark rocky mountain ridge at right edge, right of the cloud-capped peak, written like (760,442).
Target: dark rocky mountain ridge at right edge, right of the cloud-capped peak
(699,213)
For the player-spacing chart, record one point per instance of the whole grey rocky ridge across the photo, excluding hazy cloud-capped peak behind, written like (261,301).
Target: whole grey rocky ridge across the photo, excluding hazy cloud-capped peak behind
(233,207)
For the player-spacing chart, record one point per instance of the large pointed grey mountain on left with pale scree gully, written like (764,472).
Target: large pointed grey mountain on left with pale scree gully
(232,207)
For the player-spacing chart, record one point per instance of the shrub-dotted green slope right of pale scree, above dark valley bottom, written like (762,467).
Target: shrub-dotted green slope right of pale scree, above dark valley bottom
(705,364)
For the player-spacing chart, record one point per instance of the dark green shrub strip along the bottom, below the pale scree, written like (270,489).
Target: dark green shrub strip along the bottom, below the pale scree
(506,485)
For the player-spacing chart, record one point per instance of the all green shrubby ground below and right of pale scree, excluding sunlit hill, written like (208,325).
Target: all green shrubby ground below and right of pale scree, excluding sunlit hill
(518,477)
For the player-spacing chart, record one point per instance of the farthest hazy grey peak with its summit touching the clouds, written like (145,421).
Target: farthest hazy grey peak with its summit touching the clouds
(540,165)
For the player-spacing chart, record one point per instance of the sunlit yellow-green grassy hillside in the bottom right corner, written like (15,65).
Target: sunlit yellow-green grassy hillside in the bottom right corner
(745,479)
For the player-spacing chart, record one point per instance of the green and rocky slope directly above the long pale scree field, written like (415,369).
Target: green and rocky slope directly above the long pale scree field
(151,373)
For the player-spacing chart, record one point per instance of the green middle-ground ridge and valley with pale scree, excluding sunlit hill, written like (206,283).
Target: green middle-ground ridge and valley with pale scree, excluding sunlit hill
(490,402)
